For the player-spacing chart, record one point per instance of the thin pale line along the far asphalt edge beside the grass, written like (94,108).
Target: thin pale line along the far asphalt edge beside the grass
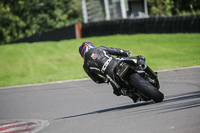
(83,79)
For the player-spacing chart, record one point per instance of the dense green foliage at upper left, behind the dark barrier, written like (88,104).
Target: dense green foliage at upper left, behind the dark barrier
(20,18)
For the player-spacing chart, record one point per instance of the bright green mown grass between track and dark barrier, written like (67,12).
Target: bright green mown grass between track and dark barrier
(28,63)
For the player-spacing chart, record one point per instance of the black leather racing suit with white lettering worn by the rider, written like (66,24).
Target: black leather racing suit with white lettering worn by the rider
(100,65)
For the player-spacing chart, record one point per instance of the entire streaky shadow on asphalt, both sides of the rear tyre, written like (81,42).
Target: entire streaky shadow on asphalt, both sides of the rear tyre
(174,103)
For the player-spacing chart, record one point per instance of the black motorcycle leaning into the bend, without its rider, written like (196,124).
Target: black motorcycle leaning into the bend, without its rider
(140,80)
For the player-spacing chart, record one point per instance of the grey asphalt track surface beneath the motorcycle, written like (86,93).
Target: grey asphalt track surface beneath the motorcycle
(85,107)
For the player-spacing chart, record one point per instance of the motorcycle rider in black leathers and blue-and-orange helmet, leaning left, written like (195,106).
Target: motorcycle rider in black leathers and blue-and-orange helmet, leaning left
(100,65)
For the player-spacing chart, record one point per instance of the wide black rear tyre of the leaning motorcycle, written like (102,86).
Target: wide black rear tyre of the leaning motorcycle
(146,88)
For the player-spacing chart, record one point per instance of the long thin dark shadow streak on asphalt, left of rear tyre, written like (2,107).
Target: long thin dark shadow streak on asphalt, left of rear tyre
(107,110)
